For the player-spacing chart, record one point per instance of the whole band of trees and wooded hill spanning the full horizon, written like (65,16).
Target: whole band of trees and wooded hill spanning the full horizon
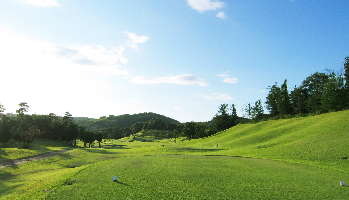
(318,93)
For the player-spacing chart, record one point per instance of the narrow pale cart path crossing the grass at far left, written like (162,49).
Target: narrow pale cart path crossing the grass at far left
(15,162)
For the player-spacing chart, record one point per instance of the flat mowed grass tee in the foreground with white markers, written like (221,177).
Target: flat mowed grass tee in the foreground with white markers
(202,177)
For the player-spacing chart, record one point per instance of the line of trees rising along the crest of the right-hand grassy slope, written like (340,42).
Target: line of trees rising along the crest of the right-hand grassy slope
(318,93)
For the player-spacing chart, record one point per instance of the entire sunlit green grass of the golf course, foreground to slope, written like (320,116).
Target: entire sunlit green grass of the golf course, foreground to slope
(300,158)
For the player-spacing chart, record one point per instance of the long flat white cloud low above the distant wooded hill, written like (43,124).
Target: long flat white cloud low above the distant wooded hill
(188,79)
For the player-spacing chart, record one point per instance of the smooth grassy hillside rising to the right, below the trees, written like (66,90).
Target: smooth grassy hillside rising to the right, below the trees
(320,140)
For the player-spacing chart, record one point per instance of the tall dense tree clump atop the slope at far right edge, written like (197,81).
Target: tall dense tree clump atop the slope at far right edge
(318,93)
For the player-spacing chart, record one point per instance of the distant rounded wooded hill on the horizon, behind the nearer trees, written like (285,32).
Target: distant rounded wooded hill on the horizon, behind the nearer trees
(120,121)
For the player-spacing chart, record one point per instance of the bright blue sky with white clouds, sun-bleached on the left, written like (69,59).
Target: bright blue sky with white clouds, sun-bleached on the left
(178,58)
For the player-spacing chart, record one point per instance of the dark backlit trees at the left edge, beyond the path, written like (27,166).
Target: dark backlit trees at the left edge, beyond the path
(25,128)
